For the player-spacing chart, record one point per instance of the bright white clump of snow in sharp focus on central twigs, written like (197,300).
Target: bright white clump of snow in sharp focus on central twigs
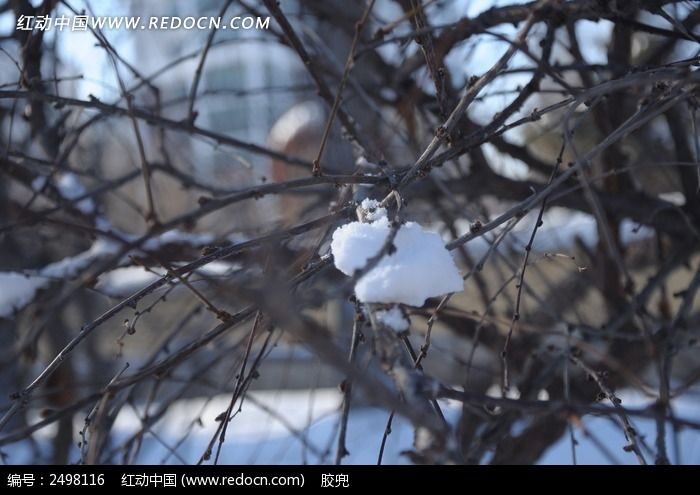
(420,267)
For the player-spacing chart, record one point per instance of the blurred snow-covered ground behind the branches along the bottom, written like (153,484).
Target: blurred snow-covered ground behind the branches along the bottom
(294,427)
